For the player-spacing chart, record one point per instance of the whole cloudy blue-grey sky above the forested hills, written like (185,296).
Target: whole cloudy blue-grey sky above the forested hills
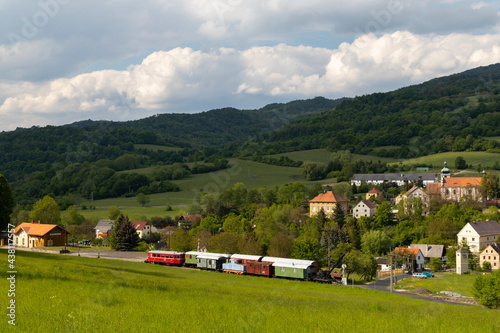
(63,61)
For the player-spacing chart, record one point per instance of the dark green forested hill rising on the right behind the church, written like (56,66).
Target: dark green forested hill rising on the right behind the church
(450,113)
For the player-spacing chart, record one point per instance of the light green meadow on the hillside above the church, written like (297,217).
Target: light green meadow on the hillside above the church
(474,158)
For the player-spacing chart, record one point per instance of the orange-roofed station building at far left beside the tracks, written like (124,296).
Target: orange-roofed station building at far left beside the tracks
(39,235)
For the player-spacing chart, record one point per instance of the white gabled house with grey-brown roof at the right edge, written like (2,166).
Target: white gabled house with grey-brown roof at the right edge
(478,235)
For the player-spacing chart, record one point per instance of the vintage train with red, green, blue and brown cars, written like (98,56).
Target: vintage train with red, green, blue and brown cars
(243,264)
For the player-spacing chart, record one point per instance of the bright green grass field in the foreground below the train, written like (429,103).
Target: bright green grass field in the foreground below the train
(57,293)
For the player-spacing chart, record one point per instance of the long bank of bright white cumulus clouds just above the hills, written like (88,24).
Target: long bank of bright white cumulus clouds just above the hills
(183,79)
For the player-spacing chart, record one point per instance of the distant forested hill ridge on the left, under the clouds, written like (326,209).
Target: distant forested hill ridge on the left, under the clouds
(40,160)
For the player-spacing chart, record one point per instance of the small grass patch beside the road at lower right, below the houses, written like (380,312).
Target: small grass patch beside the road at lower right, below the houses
(461,284)
